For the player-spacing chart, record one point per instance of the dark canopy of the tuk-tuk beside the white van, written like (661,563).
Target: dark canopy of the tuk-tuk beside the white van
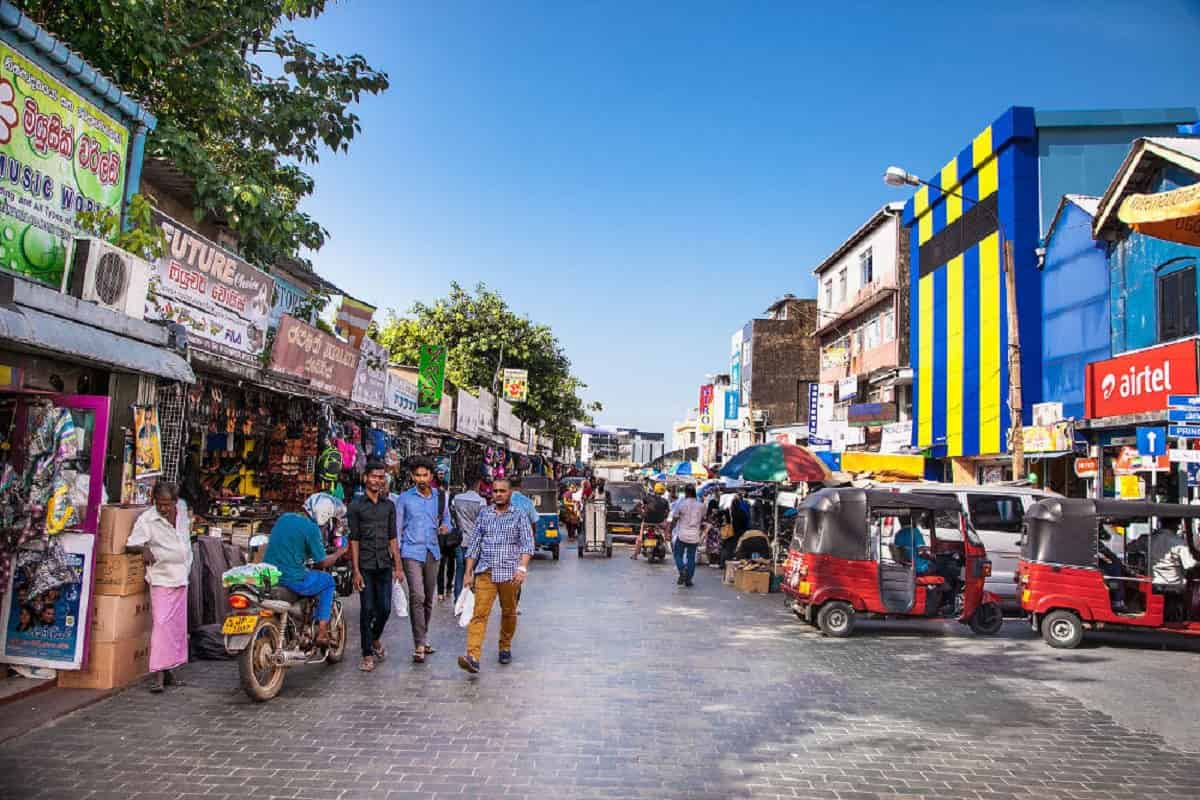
(835,522)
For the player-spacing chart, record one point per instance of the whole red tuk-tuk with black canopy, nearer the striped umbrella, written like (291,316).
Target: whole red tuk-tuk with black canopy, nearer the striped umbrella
(887,555)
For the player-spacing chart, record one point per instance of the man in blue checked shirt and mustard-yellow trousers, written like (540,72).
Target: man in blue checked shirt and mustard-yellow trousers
(497,566)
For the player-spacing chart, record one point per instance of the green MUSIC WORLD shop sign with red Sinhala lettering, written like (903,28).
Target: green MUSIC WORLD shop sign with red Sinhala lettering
(59,155)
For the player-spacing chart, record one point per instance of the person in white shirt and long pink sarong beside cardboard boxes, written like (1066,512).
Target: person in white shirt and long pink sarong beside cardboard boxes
(163,536)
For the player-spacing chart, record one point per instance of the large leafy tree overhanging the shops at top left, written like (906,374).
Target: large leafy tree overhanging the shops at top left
(242,103)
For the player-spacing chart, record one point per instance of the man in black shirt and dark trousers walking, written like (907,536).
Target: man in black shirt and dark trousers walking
(375,561)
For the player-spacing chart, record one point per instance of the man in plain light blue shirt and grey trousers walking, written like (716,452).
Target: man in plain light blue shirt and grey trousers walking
(421,519)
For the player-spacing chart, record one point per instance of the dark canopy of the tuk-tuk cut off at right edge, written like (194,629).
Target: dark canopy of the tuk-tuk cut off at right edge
(1066,531)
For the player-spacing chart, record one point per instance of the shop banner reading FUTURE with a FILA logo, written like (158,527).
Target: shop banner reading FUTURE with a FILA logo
(223,302)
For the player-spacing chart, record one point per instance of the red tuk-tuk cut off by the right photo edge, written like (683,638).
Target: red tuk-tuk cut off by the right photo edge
(1108,564)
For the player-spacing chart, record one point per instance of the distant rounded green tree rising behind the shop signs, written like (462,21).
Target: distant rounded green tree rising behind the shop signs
(475,328)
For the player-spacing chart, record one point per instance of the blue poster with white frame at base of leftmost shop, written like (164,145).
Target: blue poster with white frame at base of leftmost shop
(50,629)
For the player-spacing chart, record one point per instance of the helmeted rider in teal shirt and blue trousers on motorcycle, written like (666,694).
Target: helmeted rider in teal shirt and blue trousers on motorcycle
(298,539)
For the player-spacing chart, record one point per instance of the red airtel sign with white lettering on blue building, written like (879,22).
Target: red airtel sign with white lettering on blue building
(1141,382)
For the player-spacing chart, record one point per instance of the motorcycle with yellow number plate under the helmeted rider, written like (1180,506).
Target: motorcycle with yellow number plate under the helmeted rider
(272,629)
